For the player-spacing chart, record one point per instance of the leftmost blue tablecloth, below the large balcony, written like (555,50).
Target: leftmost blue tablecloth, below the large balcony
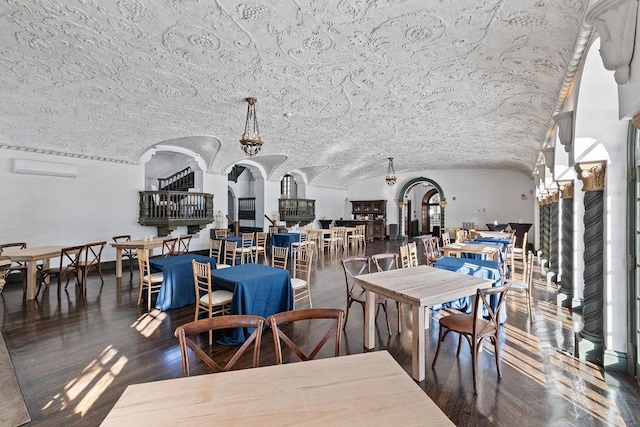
(178,289)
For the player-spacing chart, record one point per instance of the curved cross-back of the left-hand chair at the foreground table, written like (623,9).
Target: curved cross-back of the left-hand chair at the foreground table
(184,332)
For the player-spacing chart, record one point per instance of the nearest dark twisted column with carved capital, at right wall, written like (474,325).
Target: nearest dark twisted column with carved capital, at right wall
(590,339)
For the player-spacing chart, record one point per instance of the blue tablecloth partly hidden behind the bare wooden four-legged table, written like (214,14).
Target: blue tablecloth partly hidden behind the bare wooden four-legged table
(473,267)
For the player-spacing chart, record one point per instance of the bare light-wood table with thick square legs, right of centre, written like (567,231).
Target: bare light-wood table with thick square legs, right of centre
(419,287)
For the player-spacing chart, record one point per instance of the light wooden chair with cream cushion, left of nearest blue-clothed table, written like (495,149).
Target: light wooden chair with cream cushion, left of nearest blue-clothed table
(207,300)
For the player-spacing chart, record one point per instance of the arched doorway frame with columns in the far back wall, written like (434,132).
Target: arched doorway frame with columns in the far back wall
(404,204)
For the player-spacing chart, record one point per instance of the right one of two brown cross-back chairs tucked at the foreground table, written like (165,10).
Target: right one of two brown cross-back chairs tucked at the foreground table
(283,322)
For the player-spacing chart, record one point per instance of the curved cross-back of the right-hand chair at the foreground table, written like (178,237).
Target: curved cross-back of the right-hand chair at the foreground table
(289,317)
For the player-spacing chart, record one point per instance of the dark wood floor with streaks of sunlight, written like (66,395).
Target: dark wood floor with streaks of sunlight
(75,356)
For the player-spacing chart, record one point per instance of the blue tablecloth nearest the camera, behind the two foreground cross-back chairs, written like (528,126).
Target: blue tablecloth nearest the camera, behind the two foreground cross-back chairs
(257,289)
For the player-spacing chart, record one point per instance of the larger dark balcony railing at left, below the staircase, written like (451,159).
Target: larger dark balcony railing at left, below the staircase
(167,210)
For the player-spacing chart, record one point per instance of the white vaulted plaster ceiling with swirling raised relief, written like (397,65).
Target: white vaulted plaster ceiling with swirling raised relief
(341,84)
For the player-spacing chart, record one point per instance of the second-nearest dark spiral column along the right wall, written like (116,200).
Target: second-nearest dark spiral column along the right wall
(565,292)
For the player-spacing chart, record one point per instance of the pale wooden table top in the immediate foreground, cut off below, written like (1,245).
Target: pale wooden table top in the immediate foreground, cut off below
(361,389)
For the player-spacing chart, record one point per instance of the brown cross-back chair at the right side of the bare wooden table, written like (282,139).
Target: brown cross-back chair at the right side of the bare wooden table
(475,328)
